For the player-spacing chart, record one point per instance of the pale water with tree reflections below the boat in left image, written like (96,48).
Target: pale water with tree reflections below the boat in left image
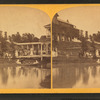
(24,77)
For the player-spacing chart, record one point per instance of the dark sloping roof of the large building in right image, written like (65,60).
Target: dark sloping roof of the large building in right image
(63,27)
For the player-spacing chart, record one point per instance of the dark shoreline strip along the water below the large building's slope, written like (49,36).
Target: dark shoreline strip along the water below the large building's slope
(64,61)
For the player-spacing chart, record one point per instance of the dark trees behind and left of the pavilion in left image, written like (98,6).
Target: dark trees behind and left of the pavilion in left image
(7,43)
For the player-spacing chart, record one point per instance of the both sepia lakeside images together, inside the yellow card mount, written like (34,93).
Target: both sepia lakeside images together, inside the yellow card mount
(30,41)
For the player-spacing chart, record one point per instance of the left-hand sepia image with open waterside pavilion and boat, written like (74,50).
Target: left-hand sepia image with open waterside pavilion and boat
(25,48)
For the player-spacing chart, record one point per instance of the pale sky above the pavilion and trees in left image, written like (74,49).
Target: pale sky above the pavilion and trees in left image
(23,20)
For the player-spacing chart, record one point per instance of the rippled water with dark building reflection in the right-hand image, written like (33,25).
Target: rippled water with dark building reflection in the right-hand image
(76,76)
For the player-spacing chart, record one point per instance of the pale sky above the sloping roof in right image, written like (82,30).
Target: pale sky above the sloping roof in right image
(86,18)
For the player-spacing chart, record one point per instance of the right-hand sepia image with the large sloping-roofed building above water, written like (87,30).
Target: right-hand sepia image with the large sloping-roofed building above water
(76,47)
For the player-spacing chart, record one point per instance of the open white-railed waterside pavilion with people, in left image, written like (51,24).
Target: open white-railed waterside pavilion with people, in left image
(33,50)
